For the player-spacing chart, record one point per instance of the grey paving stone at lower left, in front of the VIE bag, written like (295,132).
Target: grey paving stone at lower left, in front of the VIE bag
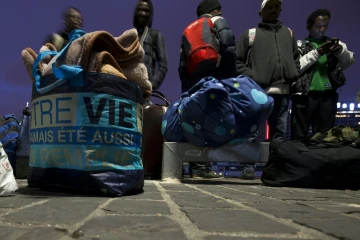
(57,211)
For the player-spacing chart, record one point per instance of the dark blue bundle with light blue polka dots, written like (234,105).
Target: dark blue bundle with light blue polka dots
(213,113)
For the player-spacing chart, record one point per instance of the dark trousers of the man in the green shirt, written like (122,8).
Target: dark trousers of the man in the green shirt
(317,110)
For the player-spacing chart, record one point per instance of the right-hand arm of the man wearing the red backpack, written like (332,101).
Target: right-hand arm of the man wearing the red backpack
(227,47)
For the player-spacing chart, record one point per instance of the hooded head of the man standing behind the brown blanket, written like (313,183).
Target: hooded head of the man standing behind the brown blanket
(143,14)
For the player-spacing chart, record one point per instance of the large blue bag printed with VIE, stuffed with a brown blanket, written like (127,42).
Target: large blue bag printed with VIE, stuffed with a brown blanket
(85,131)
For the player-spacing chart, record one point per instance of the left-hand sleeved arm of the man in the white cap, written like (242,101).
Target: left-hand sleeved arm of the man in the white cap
(242,49)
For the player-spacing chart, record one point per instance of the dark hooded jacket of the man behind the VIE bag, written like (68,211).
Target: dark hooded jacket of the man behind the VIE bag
(155,58)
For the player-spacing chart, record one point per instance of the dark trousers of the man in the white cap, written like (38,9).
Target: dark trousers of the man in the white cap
(278,119)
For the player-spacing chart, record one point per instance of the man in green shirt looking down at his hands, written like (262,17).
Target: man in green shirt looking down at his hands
(322,61)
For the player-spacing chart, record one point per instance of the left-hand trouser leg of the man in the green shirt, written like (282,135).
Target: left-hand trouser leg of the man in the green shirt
(299,117)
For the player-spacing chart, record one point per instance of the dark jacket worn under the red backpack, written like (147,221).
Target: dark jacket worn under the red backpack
(227,67)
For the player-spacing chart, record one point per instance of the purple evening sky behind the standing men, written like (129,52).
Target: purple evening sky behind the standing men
(26,23)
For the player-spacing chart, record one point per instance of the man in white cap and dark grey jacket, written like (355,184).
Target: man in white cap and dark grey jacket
(268,54)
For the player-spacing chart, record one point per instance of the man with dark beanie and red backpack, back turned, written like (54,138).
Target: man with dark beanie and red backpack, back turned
(224,40)
